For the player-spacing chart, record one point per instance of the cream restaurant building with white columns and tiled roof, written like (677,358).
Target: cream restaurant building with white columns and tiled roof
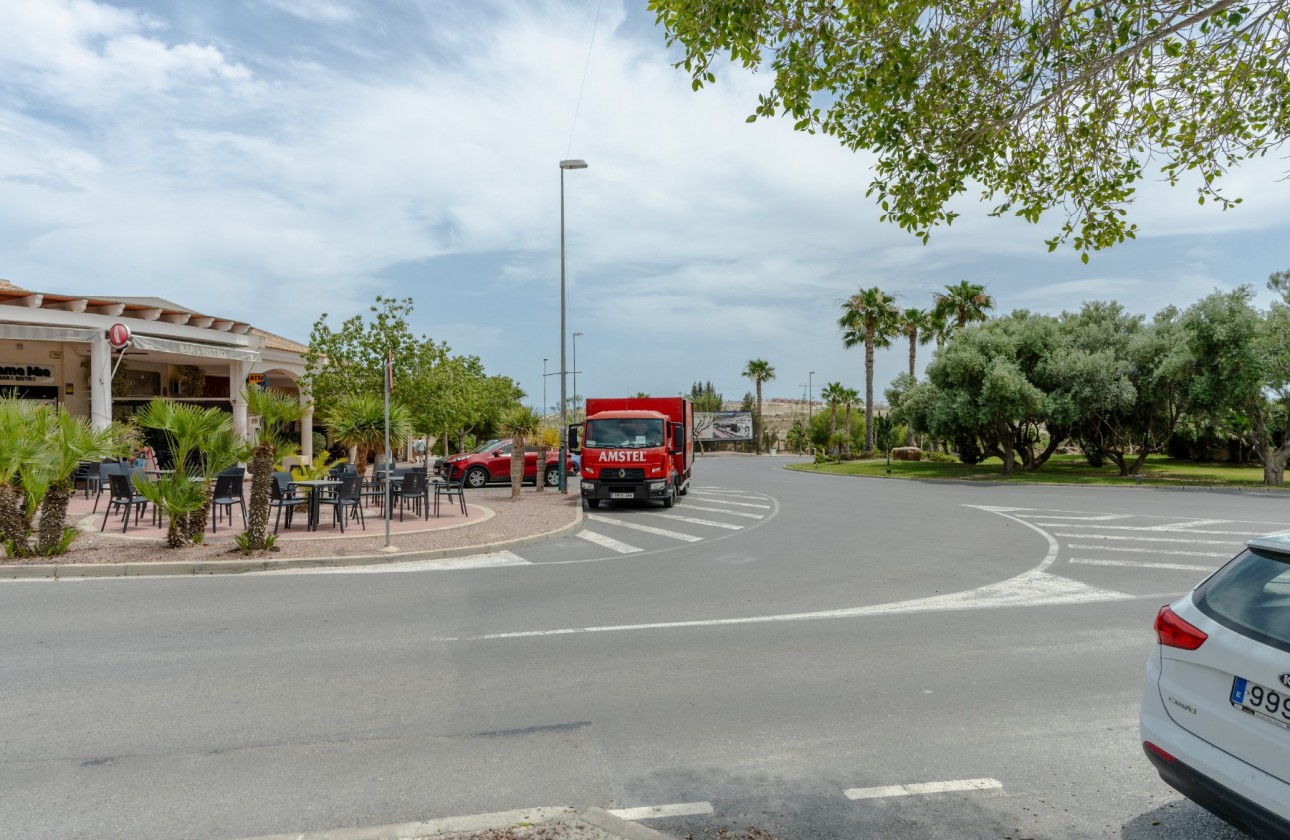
(56,349)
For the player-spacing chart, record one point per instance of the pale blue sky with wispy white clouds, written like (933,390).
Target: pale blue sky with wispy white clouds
(275,161)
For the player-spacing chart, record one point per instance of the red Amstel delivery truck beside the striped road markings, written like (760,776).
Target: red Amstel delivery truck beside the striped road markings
(637,448)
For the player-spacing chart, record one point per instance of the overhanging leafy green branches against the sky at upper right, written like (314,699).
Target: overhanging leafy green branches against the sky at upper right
(1040,106)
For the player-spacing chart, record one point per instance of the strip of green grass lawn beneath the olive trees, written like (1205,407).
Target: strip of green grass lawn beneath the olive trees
(1159,470)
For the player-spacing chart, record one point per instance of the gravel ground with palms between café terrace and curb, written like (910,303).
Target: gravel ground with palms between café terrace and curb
(533,514)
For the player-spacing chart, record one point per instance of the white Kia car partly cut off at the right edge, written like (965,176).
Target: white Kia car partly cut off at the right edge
(1216,705)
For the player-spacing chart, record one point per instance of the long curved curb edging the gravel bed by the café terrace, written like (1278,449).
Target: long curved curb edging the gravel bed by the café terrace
(238,567)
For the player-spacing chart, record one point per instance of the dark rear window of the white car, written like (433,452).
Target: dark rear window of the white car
(1252,597)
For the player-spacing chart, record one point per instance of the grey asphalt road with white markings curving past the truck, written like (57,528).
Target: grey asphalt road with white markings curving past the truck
(779,651)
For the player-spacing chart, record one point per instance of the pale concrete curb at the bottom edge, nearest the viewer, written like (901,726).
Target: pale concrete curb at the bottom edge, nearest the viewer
(597,817)
